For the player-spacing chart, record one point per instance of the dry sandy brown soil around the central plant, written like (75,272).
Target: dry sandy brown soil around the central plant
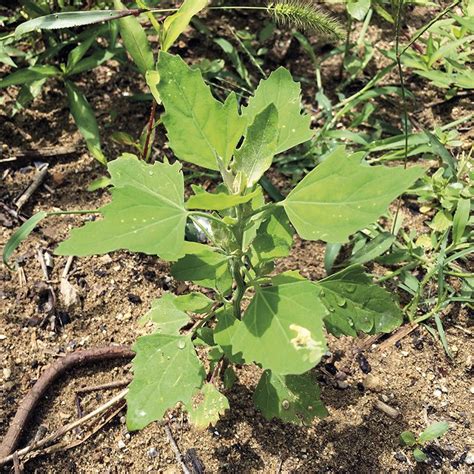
(414,376)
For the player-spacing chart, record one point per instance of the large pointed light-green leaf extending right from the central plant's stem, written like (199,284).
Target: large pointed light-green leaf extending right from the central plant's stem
(342,195)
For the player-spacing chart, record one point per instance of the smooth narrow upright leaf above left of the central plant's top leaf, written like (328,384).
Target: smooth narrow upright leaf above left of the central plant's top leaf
(135,40)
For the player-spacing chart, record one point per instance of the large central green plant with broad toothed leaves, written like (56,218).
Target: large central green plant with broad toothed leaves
(250,314)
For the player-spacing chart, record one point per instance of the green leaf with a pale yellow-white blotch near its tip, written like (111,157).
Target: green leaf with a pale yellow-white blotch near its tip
(282,329)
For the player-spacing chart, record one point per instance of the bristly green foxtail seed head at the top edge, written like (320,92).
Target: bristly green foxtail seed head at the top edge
(306,16)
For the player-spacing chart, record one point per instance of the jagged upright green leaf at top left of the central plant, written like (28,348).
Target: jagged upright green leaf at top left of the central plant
(200,128)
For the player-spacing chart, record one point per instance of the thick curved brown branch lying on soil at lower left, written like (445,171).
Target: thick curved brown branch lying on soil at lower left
(56,369)
